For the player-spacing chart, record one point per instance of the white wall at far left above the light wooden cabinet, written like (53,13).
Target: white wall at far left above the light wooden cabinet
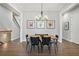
(5,15)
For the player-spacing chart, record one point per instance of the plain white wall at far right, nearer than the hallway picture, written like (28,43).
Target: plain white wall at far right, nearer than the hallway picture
(75,25)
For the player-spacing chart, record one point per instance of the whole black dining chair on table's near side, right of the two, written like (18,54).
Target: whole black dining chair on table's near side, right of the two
(45,41)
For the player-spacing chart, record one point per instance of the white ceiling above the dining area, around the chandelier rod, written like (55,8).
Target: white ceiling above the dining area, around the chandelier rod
(37,6)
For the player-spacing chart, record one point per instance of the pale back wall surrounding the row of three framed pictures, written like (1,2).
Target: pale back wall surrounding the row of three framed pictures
(30,15)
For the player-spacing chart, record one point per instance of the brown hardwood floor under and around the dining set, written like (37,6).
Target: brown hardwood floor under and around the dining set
(19,49)
